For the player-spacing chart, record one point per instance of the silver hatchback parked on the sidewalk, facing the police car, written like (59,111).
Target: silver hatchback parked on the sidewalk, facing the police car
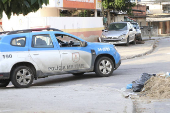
(119,33)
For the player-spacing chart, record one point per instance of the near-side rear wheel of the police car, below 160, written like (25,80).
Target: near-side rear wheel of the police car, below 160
(22,77)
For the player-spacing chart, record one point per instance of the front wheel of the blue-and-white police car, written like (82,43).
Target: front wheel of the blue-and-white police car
(104,67)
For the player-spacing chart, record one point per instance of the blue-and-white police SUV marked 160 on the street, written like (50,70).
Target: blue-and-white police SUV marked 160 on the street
(26,55)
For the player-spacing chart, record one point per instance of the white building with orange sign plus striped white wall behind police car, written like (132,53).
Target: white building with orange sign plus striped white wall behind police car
(88,28)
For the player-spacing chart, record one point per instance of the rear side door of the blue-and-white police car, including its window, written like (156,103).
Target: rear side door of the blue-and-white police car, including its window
(45,53)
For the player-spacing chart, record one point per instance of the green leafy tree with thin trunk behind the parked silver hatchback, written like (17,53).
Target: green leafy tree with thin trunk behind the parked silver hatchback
(116,5)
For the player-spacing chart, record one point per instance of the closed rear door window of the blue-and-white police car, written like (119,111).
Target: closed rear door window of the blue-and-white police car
(42,41)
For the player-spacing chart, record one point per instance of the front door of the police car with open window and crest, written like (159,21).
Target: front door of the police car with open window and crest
(73,56)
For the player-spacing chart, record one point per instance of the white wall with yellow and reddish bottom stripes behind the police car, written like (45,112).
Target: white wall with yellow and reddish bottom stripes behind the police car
(88,28)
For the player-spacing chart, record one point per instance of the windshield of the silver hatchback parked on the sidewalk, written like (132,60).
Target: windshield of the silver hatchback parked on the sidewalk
(118,26)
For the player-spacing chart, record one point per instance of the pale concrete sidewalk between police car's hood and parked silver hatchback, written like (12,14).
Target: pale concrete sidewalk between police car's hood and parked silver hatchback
(132,51)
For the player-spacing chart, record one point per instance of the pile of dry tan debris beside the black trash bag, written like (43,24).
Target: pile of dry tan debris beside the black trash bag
(157,87)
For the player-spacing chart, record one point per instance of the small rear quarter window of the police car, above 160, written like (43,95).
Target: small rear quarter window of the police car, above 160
(18,42)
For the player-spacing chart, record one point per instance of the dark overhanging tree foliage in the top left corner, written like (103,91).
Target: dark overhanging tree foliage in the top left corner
(20,6)
